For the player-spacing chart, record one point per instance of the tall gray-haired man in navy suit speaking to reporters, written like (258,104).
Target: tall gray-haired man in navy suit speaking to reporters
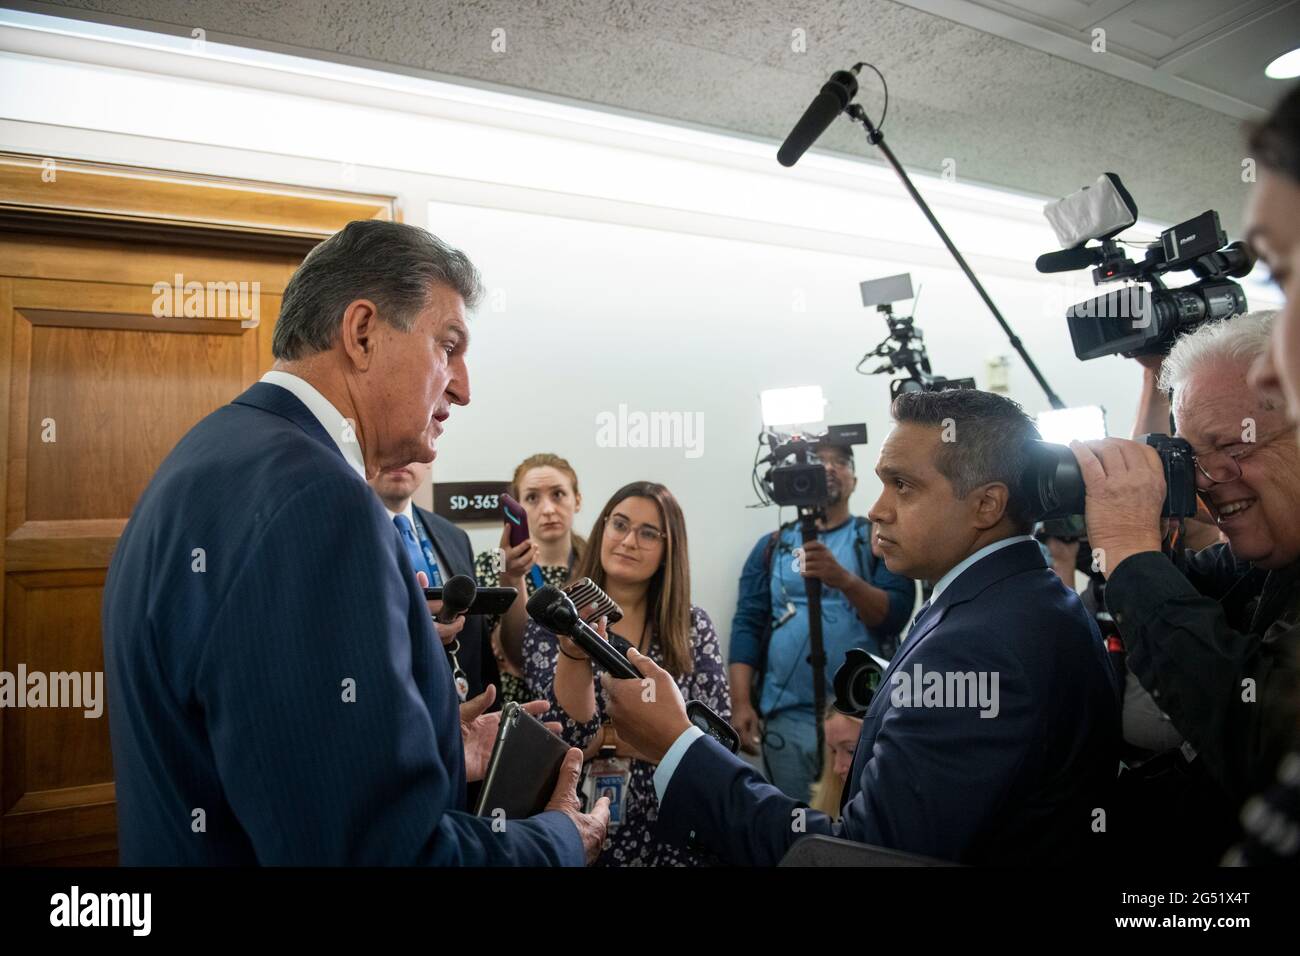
(278,694)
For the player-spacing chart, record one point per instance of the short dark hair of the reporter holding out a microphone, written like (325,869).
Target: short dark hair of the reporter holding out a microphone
(990,435)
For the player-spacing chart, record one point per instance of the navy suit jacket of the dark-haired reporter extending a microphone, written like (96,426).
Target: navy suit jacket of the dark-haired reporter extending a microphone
(1020,788)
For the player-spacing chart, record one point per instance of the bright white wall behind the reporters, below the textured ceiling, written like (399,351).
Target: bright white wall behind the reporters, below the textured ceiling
(629,262)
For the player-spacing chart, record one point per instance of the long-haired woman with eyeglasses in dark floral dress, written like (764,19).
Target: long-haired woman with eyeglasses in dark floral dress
(638,555)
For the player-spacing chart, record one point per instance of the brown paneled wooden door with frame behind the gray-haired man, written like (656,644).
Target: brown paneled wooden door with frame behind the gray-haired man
(105,367)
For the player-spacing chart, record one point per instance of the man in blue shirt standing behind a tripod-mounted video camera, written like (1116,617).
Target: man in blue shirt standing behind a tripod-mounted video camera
(864,605)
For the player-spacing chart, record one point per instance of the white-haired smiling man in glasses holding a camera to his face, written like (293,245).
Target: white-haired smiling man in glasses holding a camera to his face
(1210,634)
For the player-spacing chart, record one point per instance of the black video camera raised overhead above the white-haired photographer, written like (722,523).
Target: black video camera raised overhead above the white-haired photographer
(1133,321)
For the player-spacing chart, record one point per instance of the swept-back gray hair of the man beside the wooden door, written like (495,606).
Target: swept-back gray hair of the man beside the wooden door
(393,265)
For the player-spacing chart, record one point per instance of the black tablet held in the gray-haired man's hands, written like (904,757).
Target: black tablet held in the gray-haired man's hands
(523,769)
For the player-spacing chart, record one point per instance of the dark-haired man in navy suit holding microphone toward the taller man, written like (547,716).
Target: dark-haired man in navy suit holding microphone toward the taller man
(994,736)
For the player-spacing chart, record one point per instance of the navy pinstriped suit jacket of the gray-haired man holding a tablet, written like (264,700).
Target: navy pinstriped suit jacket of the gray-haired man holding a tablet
(278,694)
